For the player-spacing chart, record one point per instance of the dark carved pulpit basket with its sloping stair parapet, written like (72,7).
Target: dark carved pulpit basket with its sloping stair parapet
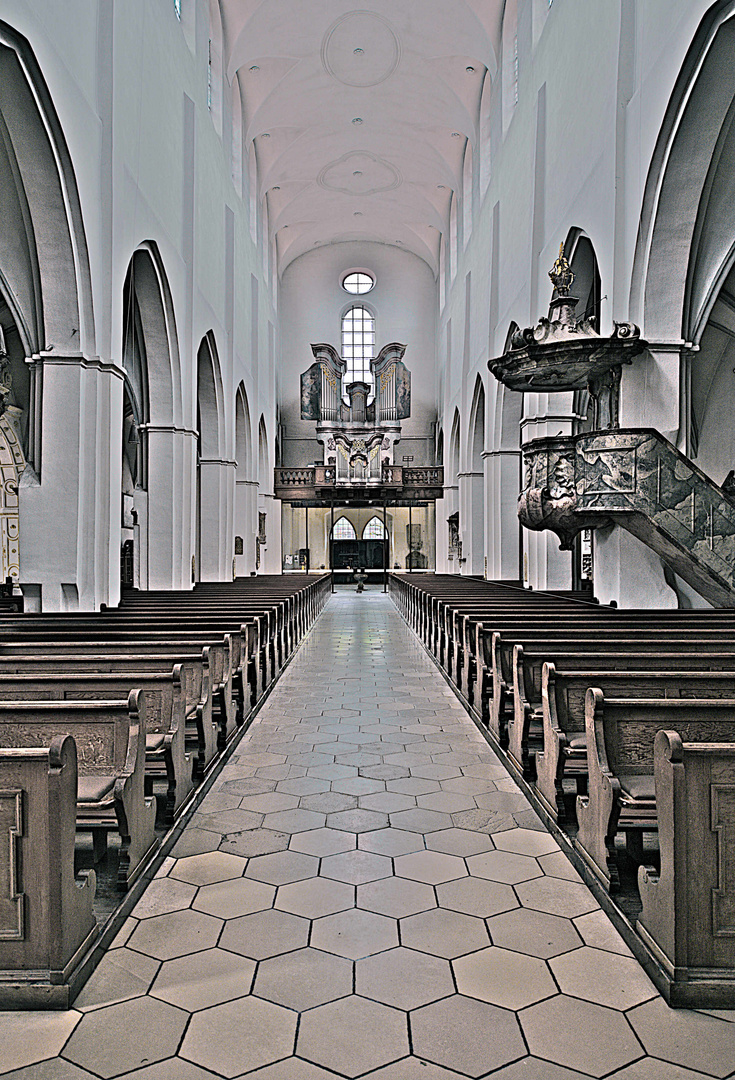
(638,480)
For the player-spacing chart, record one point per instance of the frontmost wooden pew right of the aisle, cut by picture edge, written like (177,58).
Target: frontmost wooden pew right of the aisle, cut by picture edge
(687,919)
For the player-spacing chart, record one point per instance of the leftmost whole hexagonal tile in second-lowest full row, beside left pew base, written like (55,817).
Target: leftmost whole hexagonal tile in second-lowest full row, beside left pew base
(216,977)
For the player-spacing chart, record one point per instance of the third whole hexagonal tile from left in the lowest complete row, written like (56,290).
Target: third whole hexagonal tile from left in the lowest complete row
(353,1036)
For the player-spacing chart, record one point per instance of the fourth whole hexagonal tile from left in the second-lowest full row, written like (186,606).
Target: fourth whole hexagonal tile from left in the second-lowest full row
(510,980)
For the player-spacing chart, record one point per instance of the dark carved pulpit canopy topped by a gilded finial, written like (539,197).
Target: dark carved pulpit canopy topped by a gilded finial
(566,353)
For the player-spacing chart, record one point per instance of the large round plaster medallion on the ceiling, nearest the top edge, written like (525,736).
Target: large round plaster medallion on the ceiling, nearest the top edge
(366,36)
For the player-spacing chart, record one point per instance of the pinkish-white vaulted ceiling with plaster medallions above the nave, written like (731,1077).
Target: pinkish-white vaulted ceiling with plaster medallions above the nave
(360,117)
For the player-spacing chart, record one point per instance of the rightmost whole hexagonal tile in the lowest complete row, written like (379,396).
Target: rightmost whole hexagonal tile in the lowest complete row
(580,1035)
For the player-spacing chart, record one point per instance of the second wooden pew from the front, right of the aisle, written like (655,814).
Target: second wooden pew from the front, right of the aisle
(621,799)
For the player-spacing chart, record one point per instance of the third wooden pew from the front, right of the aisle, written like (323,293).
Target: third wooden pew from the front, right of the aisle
(561,751)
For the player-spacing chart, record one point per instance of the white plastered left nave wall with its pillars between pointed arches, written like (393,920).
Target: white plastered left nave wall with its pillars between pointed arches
(130,91)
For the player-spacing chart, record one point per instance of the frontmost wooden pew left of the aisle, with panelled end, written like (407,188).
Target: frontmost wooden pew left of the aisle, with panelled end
(47,913)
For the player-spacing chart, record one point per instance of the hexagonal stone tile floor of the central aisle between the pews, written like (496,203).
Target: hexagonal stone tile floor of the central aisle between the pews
(364,893)
